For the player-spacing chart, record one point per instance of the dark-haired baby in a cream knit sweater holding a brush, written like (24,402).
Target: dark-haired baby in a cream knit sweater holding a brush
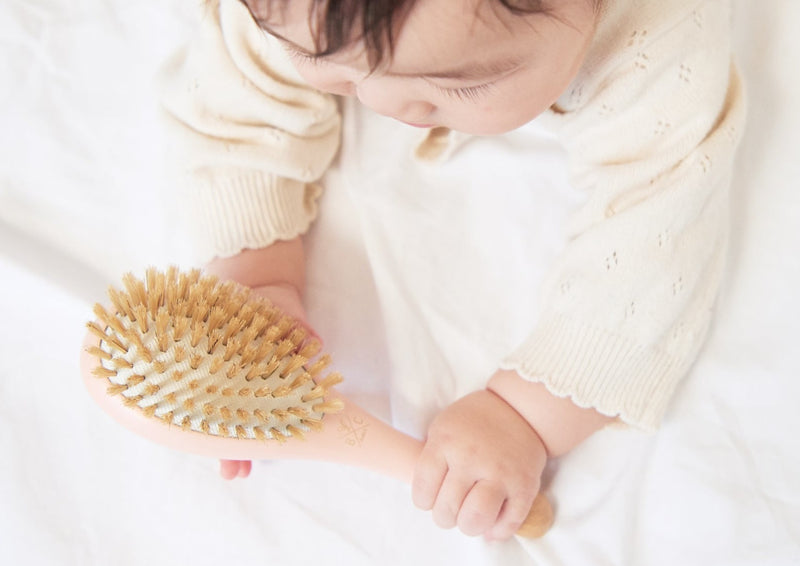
(644,98)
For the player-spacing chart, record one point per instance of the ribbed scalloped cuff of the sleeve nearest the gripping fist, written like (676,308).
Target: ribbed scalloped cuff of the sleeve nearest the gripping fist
(599,369)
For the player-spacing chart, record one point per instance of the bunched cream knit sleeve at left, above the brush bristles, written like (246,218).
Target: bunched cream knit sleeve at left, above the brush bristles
(248,138)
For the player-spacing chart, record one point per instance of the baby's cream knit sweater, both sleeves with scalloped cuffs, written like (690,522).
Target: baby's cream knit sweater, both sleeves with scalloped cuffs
(650,124)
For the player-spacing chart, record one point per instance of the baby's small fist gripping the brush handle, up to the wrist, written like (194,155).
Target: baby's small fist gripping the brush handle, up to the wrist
(480,468)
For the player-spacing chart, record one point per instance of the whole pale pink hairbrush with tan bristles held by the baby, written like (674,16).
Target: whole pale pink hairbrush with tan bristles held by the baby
(208,368)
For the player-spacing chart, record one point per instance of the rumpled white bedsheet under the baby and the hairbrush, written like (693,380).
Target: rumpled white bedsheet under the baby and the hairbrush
(82,201)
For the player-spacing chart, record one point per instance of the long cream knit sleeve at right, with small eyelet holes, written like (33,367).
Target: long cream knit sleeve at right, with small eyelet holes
(650,124)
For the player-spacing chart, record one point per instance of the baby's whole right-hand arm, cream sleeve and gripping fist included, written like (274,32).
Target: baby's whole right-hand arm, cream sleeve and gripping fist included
(651,127)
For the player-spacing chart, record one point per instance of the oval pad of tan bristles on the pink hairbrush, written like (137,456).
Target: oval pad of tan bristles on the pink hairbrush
(210,357)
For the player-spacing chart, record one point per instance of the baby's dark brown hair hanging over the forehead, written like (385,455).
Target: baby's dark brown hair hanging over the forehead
(333,22)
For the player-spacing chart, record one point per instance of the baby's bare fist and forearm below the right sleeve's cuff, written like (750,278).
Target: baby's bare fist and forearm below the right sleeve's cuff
(481,466)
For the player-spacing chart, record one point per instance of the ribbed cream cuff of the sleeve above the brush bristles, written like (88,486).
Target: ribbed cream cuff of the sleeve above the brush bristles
(249,210)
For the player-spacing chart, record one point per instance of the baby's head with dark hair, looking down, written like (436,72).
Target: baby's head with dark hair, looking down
(477,66)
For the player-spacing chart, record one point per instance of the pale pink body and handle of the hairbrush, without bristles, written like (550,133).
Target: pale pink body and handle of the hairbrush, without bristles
(353,437)
